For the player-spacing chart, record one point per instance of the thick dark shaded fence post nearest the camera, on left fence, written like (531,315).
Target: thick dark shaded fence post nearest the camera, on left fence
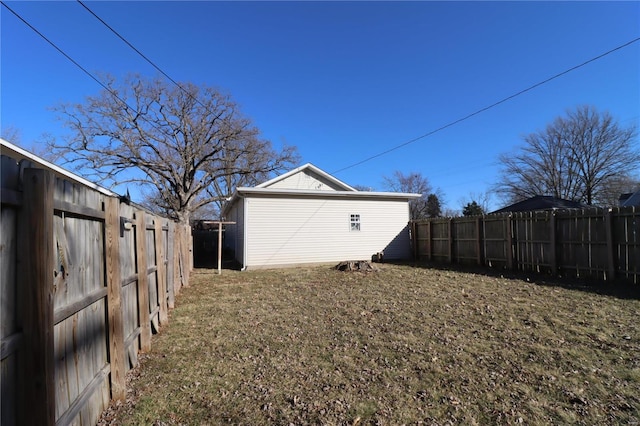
(36,263)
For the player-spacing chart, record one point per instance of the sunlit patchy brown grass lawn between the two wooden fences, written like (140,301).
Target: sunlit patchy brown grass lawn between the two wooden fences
(403,345)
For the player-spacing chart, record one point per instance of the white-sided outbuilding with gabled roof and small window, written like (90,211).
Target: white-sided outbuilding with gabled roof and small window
(307,216)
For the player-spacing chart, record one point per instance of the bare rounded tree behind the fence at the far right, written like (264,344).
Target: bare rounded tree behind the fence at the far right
(580,157)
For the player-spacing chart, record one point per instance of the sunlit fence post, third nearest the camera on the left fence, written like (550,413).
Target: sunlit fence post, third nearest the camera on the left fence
(143,282)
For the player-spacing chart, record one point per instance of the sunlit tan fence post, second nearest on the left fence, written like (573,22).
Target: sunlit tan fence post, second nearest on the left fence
(114,304)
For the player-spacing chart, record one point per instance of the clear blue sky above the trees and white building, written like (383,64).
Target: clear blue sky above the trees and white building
(344,81)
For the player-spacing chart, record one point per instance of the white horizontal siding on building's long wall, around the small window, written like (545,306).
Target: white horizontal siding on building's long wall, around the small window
(283,231)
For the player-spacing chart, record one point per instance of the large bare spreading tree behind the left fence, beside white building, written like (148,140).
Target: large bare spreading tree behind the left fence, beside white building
(191,145)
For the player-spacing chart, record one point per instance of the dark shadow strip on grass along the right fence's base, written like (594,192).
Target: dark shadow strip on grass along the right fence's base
(619,288)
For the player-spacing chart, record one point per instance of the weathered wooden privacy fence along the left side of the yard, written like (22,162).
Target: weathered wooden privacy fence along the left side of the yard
(84,282)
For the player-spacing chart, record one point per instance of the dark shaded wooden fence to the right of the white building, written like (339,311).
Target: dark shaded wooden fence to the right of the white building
(602,244)
